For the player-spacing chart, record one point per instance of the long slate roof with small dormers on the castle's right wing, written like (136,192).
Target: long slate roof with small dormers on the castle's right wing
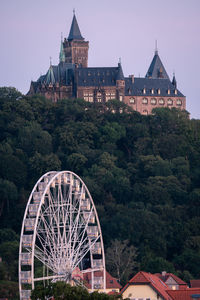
(136,88)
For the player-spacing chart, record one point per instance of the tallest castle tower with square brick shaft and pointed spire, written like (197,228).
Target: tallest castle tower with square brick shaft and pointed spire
(75,47)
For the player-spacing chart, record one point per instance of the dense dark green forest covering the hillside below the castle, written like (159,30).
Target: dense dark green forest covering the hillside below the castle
(143,173)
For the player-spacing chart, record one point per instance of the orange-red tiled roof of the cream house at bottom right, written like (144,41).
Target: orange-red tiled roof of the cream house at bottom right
(149,279)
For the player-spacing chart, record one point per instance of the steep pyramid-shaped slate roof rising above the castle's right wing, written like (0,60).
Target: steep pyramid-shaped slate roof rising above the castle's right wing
(156,69)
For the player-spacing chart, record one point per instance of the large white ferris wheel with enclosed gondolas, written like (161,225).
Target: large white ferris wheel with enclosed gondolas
(60,234)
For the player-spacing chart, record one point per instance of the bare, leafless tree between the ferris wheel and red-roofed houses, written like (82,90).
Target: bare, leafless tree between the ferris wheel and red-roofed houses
(121,259)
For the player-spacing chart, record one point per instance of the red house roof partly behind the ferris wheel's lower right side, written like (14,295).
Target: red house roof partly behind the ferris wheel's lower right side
(111,282)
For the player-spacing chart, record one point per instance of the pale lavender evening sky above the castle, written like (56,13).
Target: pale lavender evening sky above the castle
(30,33)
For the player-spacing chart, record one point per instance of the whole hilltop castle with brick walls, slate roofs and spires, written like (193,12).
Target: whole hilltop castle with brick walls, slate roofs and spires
(72,78)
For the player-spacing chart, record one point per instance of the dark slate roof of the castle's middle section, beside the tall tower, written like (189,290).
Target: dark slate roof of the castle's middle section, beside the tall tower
(97,76)
